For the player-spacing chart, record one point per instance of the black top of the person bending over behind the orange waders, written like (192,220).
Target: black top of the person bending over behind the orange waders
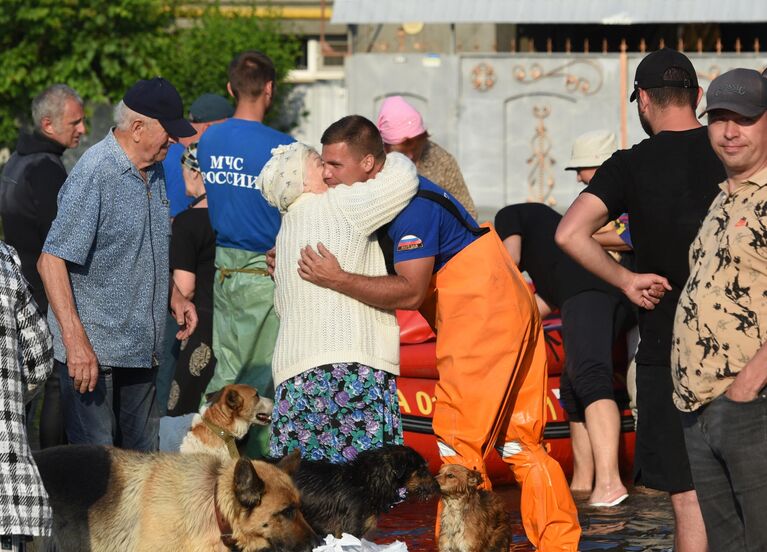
(555,275)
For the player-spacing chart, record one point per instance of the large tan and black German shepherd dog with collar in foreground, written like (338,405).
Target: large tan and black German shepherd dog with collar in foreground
(106,499)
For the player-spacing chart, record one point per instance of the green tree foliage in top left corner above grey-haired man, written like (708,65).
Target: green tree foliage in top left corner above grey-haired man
(98,47)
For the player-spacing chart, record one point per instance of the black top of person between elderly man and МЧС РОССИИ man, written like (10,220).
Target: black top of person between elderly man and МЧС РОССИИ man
(193,248)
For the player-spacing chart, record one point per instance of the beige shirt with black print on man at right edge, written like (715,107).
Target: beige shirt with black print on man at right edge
(723,307)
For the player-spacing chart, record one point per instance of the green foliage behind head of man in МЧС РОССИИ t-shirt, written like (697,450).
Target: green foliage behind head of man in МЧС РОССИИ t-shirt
(199,55)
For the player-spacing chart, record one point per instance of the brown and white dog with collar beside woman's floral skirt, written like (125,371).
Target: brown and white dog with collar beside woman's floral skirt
(226,418)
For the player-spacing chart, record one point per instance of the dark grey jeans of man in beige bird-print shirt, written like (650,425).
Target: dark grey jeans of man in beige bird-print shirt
(727,445)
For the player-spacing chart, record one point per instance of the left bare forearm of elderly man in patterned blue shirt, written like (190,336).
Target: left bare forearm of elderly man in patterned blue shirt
(53,272)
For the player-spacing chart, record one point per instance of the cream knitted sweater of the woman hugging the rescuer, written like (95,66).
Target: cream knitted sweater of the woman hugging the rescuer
(320,326)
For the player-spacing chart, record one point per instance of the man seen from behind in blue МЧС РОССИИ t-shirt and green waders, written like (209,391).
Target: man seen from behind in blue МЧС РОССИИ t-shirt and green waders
(231,156)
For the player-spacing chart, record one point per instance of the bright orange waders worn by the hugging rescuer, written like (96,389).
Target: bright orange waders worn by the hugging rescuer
(491,359)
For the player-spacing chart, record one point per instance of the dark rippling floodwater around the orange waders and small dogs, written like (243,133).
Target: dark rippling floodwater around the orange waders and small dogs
(643,522)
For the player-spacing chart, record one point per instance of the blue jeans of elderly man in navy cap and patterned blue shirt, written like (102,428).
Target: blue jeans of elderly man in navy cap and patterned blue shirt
(120,411)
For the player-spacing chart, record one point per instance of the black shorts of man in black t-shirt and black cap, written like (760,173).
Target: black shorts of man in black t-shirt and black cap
(660,460)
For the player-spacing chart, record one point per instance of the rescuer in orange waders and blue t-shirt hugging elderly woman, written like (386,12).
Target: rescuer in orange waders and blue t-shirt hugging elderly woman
(491,354)
